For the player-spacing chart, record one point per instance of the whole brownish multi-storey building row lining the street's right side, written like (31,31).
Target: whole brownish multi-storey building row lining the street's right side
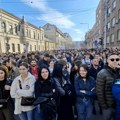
(107,27)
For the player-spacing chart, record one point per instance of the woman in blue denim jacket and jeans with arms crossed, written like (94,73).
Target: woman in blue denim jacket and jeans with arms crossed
(85,90)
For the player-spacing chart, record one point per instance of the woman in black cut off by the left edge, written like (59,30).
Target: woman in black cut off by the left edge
(6,108)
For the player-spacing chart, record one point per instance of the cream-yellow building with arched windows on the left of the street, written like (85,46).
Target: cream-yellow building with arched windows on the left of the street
(16,34)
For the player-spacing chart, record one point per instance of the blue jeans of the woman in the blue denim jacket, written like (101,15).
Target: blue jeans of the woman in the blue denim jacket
(84,110)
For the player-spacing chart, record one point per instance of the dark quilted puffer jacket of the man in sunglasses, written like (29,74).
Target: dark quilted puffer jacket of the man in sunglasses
(105,80)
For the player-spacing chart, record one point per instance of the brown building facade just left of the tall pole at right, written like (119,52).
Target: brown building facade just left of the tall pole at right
(94,37)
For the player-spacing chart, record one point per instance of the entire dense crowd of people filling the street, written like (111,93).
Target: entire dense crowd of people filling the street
(60,85)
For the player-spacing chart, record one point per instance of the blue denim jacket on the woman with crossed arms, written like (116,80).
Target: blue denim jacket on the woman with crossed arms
(88,86)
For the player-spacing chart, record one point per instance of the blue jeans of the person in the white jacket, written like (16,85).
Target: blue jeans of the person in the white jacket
(28,115)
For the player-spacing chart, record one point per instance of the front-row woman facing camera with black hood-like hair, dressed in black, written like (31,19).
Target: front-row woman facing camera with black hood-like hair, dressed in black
(49,88)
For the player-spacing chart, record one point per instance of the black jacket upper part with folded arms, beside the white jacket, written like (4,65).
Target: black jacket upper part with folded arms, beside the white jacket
(49,88)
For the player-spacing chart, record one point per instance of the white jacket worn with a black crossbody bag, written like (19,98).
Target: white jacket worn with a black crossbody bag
(18,93)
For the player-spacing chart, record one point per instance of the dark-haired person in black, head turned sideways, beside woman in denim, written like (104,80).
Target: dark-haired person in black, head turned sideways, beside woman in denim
(65,111)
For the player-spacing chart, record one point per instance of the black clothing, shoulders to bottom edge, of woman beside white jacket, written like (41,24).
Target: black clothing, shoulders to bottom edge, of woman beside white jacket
(50,89)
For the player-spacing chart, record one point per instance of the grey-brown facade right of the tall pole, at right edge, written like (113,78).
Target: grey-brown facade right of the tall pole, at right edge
(113,23)
